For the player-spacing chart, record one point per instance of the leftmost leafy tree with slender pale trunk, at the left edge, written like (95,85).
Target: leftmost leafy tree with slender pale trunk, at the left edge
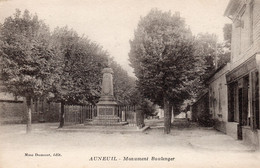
(26,57)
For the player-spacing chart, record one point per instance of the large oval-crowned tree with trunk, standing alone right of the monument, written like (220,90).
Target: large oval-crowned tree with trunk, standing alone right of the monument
(162,57)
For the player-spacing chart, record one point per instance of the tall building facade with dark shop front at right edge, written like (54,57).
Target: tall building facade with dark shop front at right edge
(243,77)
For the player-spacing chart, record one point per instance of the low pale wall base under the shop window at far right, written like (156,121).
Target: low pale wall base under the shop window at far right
(250,137)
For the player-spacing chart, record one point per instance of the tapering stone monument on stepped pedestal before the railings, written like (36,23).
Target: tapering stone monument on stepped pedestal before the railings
(107,107)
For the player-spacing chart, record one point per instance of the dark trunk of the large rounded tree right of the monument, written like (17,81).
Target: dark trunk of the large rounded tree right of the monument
(167,116)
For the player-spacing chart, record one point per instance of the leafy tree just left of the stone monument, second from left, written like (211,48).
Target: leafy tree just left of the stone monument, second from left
(81,63)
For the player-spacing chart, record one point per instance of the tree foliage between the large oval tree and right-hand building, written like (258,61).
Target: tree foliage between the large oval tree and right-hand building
(211,55)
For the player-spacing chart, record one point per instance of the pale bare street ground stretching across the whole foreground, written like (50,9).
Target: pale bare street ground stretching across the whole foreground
(188,145)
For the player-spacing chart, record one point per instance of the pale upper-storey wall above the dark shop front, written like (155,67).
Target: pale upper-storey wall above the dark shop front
(242,49)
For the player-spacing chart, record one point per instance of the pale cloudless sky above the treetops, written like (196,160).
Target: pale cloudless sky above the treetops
(111,23)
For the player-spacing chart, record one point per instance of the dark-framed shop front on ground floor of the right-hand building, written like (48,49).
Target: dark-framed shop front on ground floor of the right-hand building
(243,101)
